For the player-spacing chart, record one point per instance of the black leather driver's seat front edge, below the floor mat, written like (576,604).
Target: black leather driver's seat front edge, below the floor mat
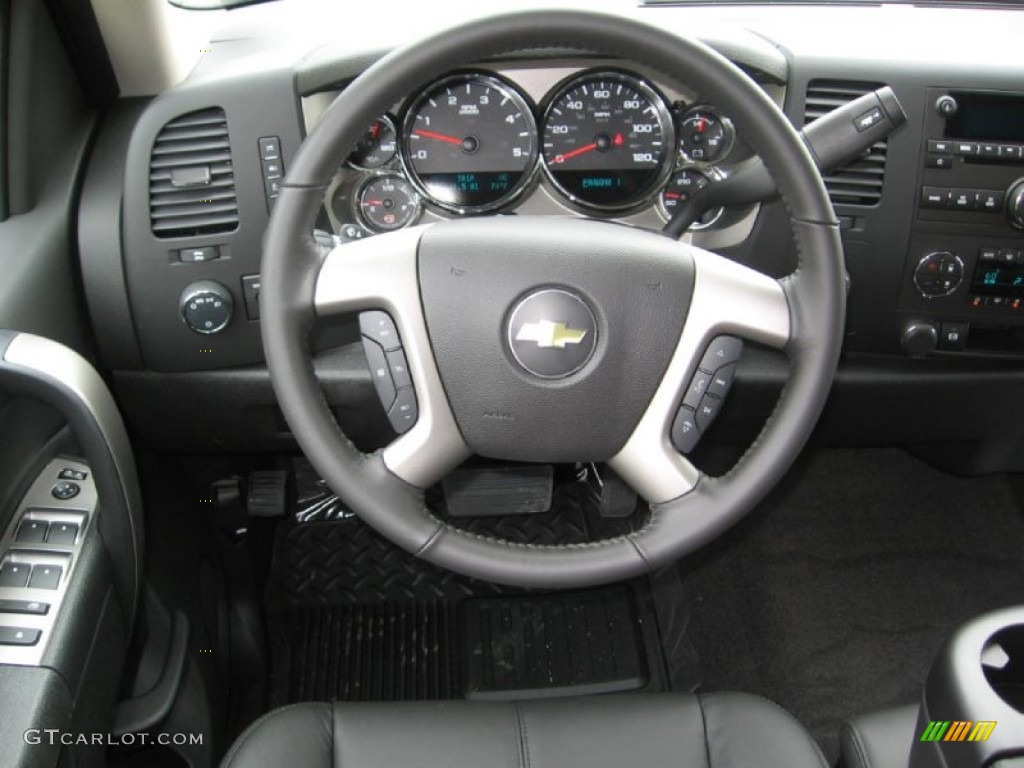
(718,731)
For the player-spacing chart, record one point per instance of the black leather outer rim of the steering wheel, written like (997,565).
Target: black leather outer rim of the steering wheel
(815,296)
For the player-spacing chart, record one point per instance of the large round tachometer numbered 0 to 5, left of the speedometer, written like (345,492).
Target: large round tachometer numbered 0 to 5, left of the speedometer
(470,144)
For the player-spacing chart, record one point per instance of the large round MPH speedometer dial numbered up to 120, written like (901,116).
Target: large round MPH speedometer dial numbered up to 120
(609,141)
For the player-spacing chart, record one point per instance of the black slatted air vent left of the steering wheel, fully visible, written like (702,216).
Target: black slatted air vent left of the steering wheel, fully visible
(192,181)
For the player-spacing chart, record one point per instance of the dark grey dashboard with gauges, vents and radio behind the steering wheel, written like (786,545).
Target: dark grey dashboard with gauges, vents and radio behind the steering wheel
(932,219)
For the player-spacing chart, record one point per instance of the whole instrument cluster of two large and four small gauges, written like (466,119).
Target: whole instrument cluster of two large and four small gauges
(603,142)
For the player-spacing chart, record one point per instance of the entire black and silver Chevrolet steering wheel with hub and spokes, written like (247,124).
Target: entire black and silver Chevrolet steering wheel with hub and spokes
(650,306)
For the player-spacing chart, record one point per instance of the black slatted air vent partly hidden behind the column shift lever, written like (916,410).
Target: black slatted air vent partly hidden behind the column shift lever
(859,183)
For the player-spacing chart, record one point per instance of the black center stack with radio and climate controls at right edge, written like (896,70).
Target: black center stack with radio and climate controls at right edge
(964,287)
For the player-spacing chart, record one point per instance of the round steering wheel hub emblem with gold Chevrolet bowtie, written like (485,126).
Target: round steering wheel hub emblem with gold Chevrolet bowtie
(552,334)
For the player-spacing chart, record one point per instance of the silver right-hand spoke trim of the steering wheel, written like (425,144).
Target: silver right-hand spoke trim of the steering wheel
(729,298)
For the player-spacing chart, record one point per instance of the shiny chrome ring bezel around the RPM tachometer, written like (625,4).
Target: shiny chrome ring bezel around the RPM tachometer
(497,82)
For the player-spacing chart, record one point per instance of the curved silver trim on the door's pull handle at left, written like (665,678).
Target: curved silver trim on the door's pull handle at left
(64,367)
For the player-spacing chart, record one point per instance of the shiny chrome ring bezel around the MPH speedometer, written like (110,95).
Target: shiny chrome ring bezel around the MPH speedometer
(665,120)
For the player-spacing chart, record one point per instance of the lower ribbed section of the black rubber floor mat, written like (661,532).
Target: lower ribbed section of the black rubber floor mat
(508,648)
